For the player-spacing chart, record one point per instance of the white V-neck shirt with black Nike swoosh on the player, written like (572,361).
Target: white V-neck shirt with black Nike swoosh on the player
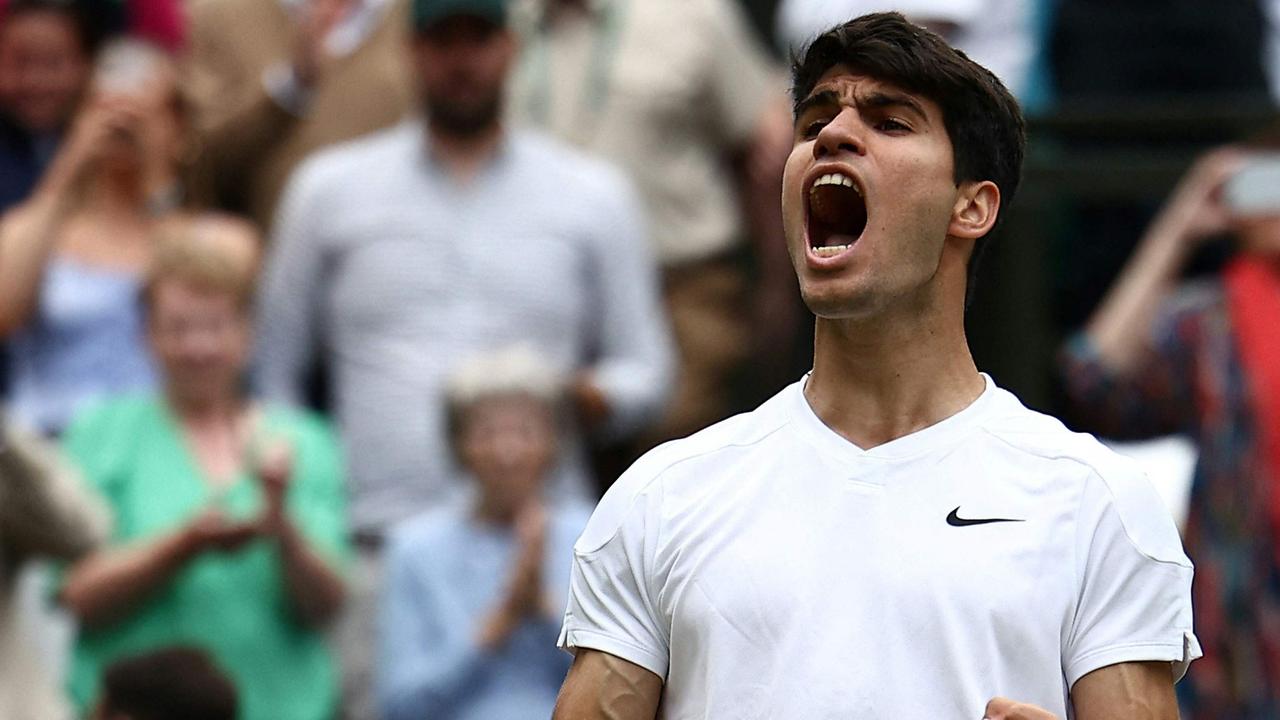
(769,568)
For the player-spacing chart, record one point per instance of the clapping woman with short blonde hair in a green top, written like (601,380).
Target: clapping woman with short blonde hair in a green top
(230,514)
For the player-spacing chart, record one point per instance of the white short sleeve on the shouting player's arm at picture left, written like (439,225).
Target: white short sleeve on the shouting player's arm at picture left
(611,599)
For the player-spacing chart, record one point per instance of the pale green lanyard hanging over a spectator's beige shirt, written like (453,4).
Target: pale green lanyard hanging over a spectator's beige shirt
(605,49)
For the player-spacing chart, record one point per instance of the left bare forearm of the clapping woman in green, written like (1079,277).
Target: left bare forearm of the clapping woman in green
(111,584)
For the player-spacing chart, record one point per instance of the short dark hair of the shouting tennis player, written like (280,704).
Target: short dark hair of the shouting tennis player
(982,119)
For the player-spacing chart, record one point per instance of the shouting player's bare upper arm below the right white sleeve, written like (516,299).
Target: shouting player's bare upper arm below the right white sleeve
(1130,691)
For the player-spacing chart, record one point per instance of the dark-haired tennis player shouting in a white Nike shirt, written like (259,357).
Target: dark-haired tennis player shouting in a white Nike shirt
(894,536)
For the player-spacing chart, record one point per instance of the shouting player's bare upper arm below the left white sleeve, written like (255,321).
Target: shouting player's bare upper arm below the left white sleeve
(605,687)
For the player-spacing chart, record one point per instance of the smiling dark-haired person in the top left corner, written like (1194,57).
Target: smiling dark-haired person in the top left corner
(47,49)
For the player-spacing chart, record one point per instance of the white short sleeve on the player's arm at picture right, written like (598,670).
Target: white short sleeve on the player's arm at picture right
(1135,600)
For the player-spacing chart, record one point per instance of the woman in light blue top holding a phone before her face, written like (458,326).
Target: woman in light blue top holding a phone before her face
(72,257)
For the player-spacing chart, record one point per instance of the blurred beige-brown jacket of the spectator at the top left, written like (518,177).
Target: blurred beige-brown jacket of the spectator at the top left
(250,144)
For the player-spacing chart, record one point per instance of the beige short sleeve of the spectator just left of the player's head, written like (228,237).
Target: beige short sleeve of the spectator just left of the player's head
(742,76)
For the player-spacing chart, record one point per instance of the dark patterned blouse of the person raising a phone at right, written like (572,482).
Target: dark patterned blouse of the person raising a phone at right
(1192,382)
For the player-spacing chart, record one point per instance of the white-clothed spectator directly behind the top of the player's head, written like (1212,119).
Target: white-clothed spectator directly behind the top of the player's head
(999,35)
